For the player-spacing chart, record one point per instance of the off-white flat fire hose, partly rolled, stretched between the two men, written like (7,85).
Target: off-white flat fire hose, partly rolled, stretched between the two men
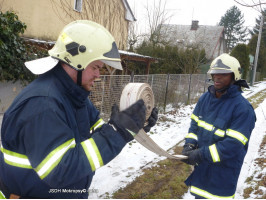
(130,94)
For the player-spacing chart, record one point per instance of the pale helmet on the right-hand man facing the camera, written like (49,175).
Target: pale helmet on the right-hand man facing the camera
(224,64)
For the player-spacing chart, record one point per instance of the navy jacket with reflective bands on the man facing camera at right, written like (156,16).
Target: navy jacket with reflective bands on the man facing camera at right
(221,128)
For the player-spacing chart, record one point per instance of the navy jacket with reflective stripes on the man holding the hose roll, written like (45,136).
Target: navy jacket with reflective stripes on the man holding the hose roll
(47,149)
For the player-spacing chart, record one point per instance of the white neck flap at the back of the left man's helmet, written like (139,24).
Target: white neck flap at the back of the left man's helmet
(41,65)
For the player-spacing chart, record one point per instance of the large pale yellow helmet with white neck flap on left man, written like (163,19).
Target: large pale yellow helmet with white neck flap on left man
(80,43)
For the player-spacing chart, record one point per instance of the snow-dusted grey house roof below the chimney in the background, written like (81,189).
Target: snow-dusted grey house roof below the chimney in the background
(208,37)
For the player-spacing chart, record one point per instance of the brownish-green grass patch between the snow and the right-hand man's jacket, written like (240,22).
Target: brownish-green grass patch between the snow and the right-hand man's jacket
(164,181)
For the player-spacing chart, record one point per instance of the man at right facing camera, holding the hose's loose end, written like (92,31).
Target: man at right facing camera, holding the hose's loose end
(218,137)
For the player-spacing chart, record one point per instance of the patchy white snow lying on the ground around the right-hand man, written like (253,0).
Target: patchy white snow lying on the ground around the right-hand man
(170,130)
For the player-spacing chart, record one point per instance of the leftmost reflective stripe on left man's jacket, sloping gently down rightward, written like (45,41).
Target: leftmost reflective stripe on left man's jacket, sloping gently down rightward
(16,159)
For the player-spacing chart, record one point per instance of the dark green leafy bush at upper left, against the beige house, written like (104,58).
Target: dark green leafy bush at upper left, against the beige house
(13,49)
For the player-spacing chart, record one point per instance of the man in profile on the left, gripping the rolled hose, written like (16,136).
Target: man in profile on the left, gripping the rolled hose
(53,138)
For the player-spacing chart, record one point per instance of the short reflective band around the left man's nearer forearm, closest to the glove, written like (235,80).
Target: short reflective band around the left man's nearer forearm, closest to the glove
(92,153)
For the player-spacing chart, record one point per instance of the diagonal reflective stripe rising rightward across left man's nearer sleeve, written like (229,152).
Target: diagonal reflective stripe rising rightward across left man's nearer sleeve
(53,158)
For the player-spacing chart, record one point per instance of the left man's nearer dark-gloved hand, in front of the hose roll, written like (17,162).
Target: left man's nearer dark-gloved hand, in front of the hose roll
(130,121)
